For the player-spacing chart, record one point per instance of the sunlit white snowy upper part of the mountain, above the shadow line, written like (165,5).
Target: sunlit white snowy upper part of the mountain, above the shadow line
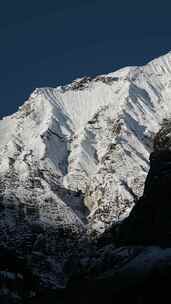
(93,135)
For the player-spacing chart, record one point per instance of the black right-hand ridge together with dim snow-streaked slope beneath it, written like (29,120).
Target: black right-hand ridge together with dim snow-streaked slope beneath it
(138,270)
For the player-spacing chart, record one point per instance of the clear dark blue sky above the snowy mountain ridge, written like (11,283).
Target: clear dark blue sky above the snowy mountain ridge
(47,43)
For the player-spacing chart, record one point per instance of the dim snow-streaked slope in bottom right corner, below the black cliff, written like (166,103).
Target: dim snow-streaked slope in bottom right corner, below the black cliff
(134,274)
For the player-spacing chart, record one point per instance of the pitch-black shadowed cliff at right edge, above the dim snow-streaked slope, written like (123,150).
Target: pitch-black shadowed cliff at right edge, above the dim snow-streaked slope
(149,222)
